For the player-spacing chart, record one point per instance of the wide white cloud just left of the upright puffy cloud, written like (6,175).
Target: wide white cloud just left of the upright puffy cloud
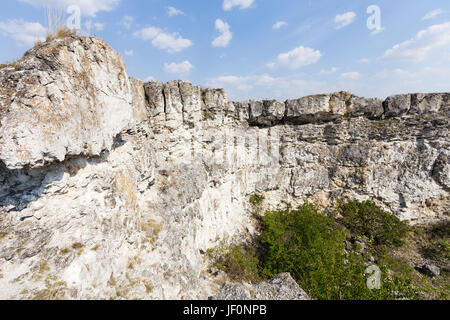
(172,42)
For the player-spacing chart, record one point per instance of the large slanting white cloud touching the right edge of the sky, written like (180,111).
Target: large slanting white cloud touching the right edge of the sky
(424,43)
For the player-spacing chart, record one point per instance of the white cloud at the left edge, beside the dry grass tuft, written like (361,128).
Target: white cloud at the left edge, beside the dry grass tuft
(23,32)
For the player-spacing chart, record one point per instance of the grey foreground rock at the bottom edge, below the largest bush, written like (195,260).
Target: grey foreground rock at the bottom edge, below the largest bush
(282,287)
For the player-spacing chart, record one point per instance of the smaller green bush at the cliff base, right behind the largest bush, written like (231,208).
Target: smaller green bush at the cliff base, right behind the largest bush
(368,220)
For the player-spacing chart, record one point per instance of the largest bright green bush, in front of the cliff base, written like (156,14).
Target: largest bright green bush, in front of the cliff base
(306,244)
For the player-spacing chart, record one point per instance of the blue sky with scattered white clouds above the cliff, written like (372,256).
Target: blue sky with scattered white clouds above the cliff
(261,48)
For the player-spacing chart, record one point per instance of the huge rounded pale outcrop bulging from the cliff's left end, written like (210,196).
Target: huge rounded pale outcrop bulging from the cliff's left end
(68,97)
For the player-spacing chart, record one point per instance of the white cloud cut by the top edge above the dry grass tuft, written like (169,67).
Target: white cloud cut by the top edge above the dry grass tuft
(88,7)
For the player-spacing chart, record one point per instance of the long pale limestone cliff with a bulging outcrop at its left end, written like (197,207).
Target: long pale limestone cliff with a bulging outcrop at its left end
(114,188)
